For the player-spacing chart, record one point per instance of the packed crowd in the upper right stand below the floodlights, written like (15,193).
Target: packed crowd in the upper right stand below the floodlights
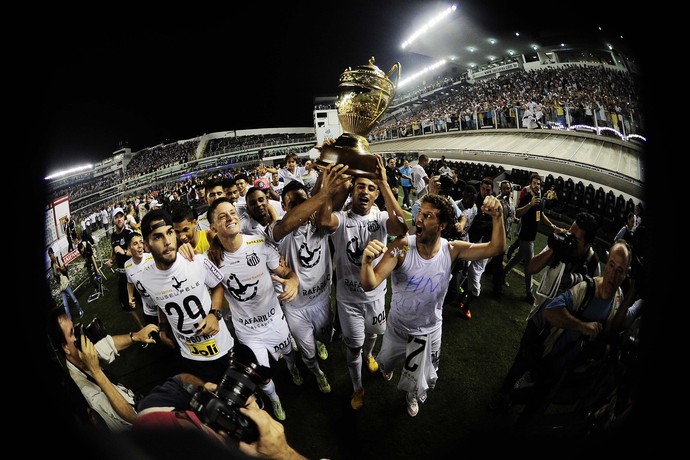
(593,96)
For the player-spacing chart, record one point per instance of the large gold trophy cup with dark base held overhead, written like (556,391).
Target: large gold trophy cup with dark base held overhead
(364,94)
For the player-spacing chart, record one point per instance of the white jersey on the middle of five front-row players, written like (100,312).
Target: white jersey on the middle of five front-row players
(308,254)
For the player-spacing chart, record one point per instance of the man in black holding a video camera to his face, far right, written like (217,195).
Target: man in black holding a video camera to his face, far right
(568,259)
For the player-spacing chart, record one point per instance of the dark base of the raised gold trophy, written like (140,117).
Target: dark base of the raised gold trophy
(351,150)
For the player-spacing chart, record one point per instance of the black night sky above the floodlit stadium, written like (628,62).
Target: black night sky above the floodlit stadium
(143,80)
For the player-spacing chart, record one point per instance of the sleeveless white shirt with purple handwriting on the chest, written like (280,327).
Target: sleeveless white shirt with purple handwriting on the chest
(419,288)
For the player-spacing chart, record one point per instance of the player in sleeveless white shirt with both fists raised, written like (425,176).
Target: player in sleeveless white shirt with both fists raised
(421,266)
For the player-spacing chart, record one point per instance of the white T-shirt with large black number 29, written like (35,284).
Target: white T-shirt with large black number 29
(182,294)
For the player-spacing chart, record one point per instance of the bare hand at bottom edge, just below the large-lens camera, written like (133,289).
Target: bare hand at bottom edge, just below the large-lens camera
(272,442)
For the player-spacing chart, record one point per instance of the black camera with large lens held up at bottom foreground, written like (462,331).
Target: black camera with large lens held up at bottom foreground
(220,410)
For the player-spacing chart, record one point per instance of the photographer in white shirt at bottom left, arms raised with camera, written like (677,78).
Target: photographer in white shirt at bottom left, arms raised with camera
(113,402)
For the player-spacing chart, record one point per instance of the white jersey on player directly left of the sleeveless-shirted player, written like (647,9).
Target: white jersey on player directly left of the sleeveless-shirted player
(349,239)
